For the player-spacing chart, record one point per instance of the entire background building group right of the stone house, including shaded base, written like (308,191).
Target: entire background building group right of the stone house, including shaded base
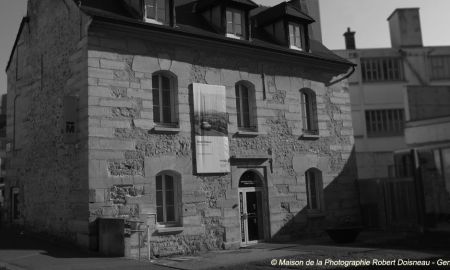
(404,86)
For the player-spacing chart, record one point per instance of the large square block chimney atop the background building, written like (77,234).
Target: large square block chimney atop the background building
(404,24)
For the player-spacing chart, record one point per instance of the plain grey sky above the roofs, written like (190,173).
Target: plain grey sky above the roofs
(367,17)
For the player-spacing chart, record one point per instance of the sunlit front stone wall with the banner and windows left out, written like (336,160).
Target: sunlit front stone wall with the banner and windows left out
(125,152)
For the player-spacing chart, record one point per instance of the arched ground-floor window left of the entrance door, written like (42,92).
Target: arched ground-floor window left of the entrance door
(167,199)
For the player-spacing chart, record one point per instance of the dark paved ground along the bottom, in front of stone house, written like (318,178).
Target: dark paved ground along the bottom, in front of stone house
(20,251)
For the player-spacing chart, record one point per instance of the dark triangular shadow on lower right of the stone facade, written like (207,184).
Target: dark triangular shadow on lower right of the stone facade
(340,208)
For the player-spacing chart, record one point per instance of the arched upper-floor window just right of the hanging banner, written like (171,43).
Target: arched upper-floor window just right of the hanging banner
(245,108)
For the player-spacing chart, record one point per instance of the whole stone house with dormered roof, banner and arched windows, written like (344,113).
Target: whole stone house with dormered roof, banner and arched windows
(110,104)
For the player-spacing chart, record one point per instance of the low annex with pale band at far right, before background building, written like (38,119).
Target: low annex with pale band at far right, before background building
(427,157)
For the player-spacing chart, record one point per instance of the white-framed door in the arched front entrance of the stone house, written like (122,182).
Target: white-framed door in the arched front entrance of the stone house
(251,210)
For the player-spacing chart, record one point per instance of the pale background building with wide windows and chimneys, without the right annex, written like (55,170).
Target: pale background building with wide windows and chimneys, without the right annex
(377,89)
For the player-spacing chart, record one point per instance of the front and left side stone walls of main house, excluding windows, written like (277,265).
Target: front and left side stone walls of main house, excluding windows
(110,171)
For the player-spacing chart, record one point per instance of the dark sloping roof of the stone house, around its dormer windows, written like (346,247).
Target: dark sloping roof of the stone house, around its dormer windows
(190,23)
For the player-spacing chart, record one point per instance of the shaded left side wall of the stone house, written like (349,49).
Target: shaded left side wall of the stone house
(50,174)
